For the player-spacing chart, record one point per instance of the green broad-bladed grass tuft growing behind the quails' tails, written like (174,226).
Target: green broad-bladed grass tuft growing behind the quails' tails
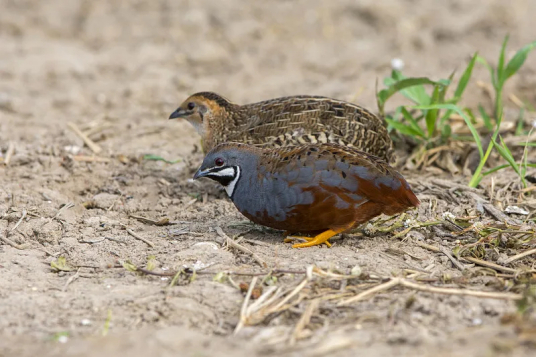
(427,120)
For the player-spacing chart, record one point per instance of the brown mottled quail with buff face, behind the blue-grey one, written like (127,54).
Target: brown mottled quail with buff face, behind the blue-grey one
(285,121)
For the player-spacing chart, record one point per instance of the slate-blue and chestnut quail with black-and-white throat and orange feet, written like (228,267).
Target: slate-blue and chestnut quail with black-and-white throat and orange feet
(320,189)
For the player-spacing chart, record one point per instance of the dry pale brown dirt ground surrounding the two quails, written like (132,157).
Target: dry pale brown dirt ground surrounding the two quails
(117,69)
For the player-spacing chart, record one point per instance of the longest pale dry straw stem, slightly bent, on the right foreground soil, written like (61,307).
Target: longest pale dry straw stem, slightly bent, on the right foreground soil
(431,289)
